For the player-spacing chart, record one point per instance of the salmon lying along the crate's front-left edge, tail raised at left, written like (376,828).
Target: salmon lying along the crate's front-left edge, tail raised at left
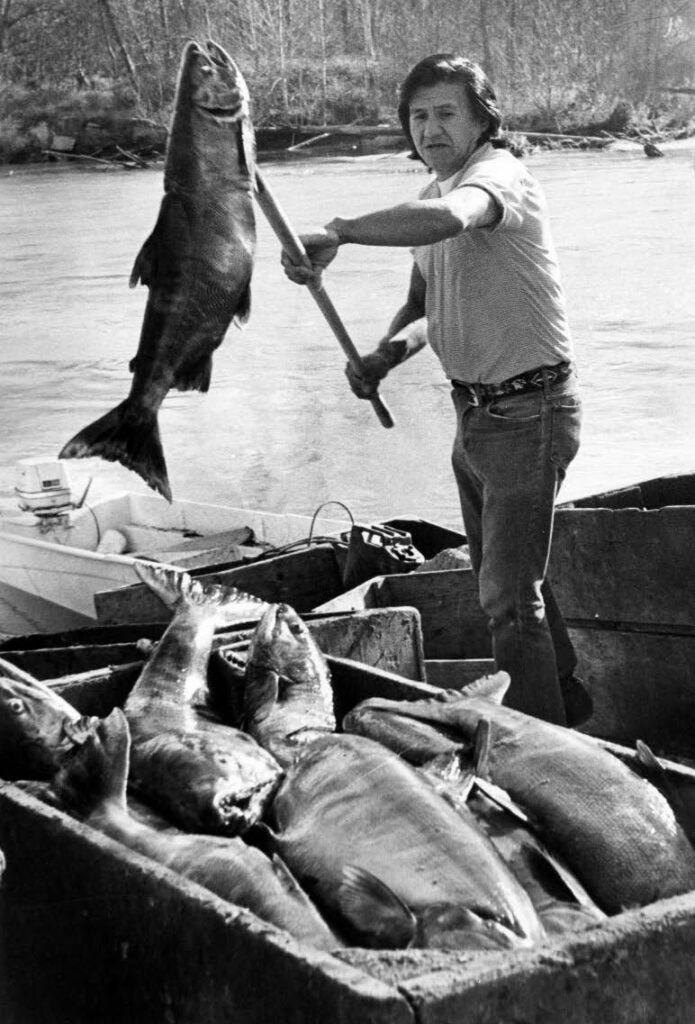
(93,783)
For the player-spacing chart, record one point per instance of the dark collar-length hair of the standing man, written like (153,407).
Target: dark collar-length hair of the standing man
(451,68)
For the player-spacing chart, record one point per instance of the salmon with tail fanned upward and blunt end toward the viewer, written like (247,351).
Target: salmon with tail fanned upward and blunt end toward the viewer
(202,774)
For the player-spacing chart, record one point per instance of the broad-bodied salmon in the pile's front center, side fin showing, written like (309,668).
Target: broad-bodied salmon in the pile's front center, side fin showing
(383,855)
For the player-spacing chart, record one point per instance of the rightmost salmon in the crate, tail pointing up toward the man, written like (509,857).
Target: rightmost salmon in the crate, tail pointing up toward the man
(613,828)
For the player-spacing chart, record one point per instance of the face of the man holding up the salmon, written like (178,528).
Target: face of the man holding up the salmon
(444,127)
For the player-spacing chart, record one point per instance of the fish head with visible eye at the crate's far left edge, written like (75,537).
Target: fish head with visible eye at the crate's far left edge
(36,730)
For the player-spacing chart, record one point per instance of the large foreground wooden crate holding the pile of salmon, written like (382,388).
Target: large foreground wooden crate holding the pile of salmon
(96,933)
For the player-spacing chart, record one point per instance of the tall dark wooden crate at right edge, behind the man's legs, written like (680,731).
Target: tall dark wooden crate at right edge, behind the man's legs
(623,570)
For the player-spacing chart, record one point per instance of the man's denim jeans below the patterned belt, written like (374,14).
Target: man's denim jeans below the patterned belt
(510,457)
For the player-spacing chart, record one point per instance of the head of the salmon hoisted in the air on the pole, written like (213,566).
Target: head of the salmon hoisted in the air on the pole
(213,83)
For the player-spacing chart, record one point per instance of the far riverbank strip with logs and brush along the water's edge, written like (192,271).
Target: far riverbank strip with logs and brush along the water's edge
(105,127)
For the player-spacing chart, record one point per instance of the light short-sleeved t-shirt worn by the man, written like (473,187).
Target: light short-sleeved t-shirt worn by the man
(495,304)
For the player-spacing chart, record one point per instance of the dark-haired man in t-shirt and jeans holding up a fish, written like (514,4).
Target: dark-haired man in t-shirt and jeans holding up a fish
(486,292)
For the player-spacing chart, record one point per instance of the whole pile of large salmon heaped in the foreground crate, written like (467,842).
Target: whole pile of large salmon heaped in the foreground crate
(453,824)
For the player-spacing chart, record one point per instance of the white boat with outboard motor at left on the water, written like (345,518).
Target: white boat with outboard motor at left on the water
(57,553)
